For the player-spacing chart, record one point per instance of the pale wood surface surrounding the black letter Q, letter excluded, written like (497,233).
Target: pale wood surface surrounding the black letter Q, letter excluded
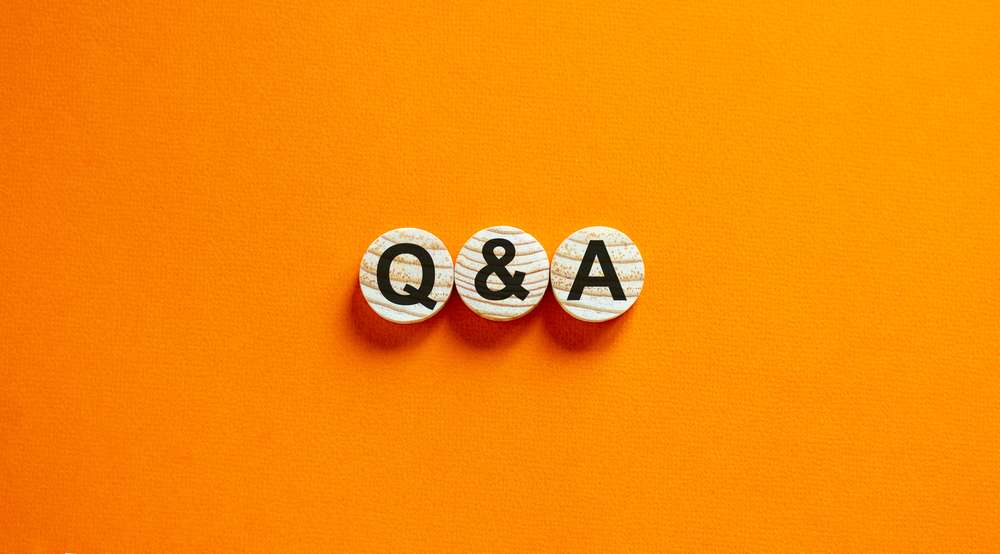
(406,269)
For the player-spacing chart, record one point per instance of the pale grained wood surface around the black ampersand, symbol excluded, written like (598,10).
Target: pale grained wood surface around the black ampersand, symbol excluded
(530,257)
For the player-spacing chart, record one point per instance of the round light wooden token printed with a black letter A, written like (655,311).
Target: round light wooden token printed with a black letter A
(596,301)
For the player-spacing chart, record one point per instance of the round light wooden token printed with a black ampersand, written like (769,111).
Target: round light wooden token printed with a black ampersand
(525,274)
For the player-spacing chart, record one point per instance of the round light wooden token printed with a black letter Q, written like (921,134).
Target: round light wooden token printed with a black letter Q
(412,290)
